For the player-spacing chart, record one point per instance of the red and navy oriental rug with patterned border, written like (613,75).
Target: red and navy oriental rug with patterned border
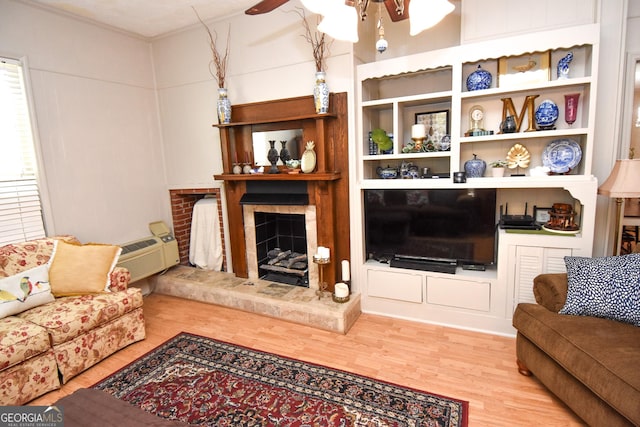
(202,381)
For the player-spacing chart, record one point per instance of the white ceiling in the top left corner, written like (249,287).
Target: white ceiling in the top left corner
(147,18)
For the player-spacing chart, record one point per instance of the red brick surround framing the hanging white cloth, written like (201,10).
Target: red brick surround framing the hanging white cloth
(182,202)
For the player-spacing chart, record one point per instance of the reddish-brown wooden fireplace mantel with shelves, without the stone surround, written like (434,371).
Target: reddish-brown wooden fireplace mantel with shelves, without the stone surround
(327,186)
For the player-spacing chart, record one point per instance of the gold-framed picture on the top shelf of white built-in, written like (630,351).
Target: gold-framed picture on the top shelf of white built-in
(525,69)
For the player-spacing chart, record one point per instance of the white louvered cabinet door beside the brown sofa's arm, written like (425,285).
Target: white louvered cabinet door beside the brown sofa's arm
(531,261)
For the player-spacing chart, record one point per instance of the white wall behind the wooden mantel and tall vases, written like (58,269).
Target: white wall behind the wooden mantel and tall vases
(269,59)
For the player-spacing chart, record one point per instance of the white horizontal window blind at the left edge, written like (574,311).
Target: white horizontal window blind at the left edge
(20,207)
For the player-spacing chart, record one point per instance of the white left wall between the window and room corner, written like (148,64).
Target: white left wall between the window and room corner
(97,118)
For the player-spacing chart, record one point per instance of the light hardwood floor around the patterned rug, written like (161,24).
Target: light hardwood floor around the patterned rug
(479,368)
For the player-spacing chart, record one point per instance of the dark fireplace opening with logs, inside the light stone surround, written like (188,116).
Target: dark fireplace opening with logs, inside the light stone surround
(281,248)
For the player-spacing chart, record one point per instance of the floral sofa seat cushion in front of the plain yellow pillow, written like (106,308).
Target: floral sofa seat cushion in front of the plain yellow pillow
(69,317)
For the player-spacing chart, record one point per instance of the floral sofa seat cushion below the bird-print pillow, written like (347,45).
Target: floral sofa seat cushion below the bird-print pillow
(20,340)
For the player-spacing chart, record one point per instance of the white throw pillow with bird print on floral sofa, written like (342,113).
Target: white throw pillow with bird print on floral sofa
(25,290)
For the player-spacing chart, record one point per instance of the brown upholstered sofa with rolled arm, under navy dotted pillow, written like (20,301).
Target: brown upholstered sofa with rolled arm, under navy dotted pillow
(590,363)
